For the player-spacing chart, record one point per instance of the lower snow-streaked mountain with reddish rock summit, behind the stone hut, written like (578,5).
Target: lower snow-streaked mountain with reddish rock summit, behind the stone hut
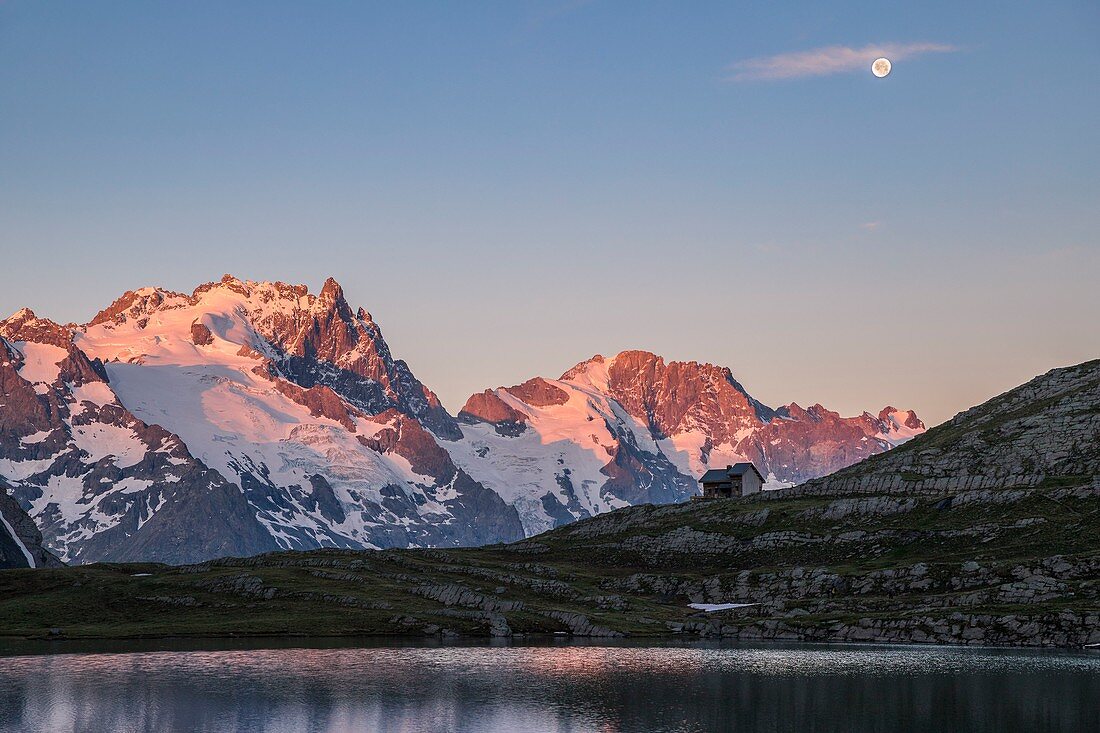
(634,430)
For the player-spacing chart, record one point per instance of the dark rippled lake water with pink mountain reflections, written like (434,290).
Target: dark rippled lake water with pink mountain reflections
(554,688)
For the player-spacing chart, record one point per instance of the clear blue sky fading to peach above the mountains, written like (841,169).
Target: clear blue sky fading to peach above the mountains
(512,188)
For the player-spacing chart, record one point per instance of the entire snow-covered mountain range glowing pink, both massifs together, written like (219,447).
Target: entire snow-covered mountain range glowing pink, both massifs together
(254,417)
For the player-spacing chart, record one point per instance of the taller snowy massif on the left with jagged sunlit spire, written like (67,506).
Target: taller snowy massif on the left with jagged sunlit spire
(241,419)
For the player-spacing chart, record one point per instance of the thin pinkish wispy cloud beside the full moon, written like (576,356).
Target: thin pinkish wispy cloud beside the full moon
(827,61)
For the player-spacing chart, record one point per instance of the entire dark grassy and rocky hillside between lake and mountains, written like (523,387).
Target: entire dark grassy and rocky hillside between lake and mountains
(985,531)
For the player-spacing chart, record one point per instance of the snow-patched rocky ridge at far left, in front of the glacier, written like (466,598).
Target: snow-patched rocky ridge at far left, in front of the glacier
(100,483)
